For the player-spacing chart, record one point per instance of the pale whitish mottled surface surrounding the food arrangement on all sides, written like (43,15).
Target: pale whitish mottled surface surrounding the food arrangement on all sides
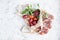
(10,22)
